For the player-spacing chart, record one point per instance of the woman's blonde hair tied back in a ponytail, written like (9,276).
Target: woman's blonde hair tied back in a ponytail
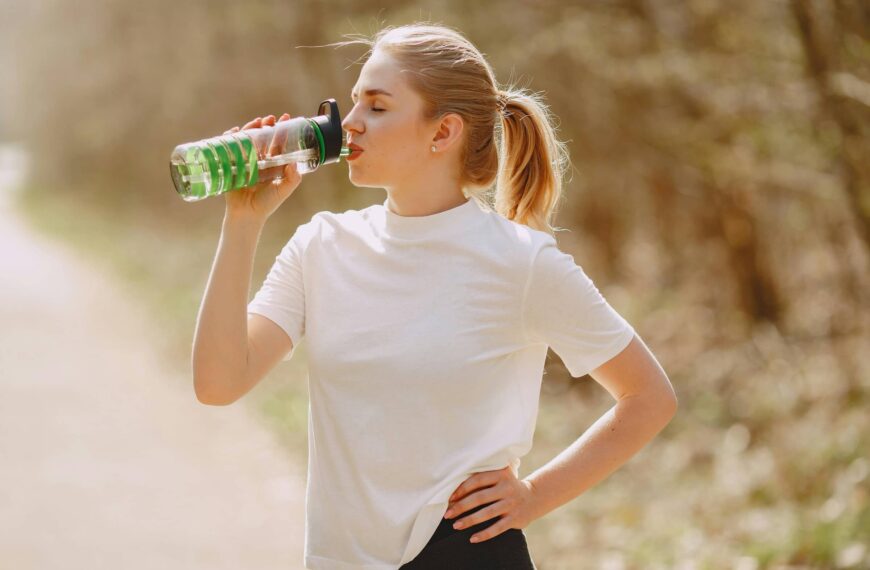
(452,76)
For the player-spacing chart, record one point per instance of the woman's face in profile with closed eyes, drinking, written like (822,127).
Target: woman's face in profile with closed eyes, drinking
(386,122)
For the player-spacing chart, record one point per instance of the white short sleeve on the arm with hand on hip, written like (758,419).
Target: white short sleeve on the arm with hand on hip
(563,308)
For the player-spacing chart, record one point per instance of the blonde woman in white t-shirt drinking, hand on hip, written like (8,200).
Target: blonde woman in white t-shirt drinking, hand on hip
(428,320)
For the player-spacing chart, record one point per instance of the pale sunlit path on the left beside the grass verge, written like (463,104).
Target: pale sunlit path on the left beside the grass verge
(106,458)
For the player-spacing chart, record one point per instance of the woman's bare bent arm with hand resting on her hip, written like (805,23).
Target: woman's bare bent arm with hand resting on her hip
(645,404)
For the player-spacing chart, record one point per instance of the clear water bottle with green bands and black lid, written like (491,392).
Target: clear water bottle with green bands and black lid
(210,167)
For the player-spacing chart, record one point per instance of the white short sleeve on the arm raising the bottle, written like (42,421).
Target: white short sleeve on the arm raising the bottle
(281,298)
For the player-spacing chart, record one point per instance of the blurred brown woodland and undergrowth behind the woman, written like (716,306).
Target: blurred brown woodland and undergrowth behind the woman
(720,198)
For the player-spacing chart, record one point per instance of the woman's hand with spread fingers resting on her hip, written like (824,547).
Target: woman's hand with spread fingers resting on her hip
(514,500)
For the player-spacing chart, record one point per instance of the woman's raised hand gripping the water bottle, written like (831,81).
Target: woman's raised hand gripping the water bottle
(262,199)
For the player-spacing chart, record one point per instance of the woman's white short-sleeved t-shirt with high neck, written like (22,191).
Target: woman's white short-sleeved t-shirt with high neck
(426,339)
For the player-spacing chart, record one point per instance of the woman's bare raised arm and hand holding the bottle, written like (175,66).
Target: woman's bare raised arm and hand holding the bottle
(221,355)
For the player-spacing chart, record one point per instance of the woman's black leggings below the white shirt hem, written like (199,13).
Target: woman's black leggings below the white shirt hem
(450,548)
